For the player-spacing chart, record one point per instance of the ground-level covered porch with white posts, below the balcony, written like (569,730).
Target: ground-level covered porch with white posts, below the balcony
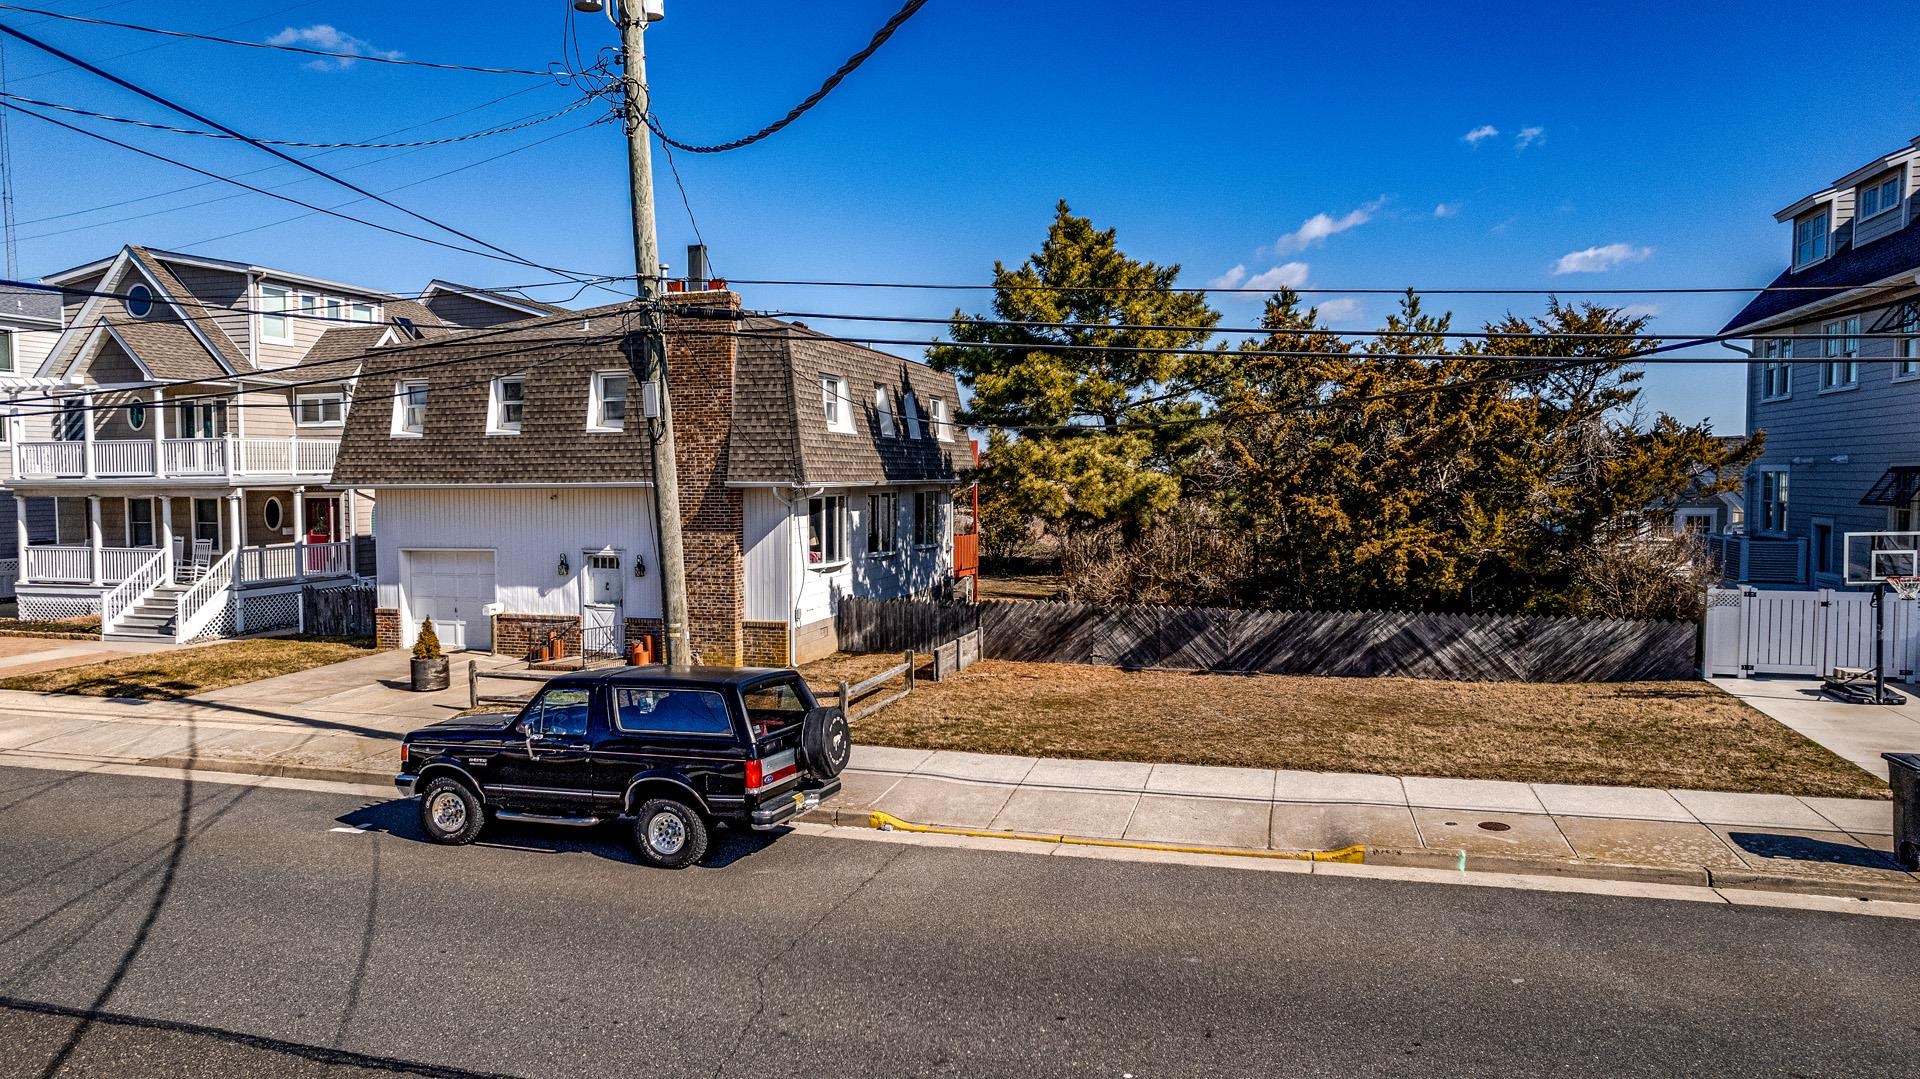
(251,537)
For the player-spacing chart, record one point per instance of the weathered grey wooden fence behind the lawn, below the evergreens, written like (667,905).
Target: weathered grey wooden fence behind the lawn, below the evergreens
(1353,644)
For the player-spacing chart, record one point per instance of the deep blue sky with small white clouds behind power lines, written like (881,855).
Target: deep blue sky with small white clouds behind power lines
(1308,143)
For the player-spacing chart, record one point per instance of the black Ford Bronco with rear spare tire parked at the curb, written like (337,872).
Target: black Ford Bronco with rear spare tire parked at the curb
(671,750)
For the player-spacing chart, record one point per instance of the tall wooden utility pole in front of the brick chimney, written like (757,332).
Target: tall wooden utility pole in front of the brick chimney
(648,362)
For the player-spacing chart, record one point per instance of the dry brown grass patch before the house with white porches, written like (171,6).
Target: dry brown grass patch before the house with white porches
(185,673)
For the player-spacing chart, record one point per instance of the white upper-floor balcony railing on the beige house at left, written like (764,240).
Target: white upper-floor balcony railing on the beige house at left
(176,458)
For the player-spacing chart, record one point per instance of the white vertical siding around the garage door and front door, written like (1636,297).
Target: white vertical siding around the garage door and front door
(529,531)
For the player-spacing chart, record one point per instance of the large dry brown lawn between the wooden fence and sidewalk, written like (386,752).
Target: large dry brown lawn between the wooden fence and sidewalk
(1635,734)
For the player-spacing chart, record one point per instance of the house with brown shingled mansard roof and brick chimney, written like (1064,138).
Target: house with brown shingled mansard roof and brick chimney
(516,491)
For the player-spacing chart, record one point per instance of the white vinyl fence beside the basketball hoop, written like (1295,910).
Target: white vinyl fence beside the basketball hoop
(1806,633)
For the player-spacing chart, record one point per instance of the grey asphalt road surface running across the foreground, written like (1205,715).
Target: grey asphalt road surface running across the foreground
(164,928)
